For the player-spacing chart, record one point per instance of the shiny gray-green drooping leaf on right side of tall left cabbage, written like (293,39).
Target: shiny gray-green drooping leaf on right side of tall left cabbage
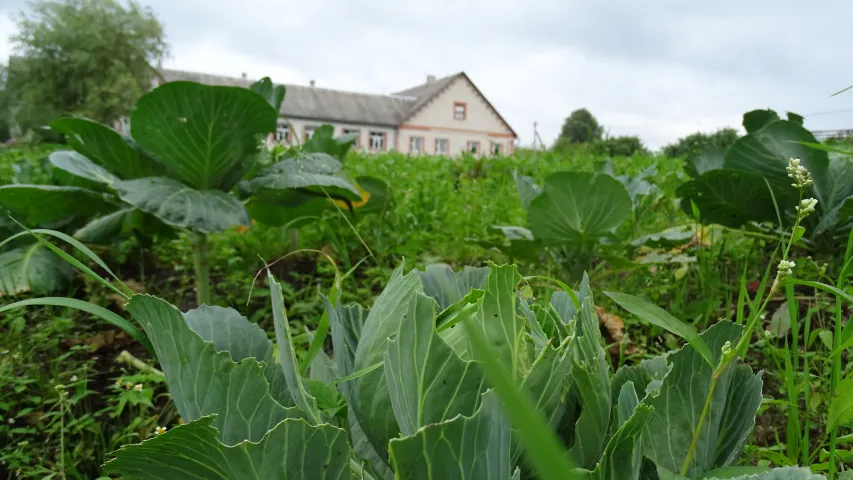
(313,172)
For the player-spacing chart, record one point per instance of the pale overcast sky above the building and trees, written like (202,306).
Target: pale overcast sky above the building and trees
(659,69)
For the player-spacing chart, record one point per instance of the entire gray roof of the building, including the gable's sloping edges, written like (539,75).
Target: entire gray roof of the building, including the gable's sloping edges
(337,105)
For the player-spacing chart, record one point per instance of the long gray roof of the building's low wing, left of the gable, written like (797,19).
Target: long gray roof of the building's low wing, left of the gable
(321,103)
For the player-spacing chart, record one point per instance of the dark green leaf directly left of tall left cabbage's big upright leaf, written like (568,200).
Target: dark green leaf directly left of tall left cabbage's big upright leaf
(107,148)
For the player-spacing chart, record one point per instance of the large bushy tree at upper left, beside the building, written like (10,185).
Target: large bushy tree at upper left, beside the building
(92,58)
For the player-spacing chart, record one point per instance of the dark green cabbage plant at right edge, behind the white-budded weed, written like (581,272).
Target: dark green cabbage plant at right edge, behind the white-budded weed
(753,172)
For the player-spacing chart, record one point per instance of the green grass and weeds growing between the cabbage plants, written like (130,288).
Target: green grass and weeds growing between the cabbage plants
(441,206)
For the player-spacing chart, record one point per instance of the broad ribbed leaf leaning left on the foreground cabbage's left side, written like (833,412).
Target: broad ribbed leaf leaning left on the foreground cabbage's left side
(203,381)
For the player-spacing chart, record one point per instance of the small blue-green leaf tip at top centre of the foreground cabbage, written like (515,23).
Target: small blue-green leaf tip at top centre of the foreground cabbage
(448,287)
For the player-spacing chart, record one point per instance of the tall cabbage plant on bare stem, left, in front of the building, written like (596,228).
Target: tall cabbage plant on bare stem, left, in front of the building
(191,162)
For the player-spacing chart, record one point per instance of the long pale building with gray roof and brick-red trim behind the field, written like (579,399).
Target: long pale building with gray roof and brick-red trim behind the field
(444,116)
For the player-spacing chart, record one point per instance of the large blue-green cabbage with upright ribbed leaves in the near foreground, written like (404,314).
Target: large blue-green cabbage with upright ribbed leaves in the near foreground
(421,385)
